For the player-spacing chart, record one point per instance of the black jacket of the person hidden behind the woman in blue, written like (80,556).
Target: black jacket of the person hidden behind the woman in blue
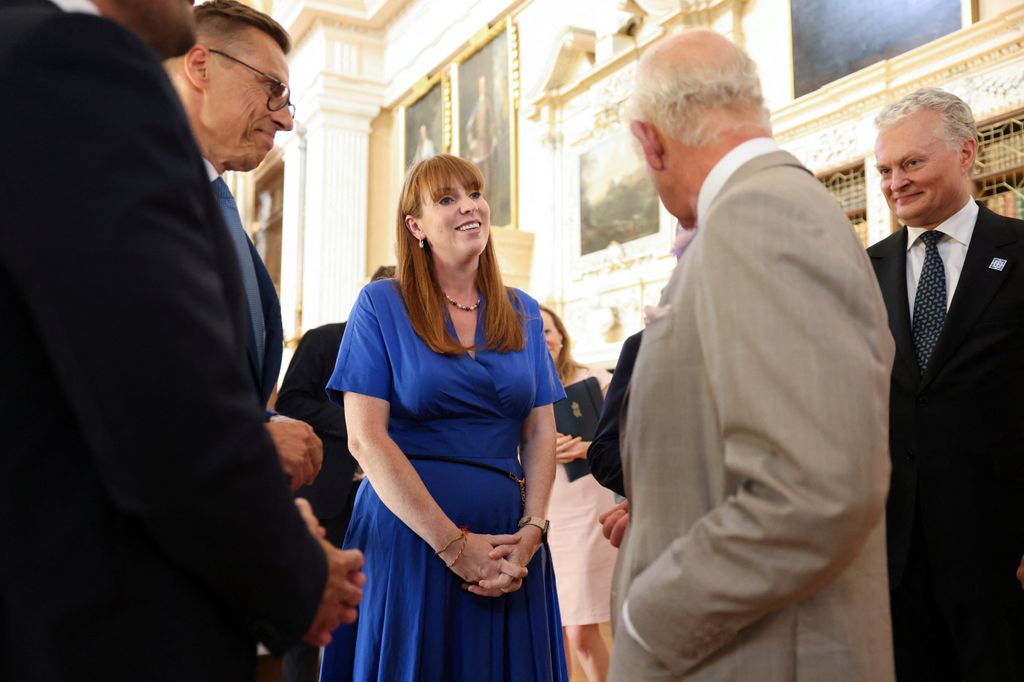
(304,397)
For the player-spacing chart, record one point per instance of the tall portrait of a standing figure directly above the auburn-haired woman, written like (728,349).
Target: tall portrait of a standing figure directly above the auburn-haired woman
(486,123)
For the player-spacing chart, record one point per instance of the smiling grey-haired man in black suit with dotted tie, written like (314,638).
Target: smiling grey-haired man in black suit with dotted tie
(954,283)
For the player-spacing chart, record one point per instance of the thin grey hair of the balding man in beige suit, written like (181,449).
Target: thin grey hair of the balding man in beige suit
(698,102)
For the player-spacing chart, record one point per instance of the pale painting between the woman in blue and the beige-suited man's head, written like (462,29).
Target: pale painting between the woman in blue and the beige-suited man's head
(618,202)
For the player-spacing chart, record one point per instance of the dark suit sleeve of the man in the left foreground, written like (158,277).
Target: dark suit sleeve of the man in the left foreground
(110,242)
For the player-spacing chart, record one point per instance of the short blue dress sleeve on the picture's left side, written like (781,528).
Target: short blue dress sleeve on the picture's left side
(363,365)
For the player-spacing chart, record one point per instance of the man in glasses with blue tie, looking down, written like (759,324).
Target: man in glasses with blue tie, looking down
(234,86)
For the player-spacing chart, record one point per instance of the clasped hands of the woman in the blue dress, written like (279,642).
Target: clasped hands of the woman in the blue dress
(493,566)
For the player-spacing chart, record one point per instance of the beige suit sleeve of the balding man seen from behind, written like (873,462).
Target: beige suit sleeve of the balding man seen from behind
(798,356)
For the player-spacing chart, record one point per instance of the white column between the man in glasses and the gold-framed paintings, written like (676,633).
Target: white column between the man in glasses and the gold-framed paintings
(335,75)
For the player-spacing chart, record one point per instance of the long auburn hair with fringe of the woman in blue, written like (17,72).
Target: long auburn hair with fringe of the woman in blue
(422,295)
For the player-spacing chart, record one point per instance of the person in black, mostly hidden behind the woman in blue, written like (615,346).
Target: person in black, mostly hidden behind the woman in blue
(304,396)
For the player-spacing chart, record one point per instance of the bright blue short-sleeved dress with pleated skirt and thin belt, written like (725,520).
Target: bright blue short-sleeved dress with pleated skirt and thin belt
(416,623)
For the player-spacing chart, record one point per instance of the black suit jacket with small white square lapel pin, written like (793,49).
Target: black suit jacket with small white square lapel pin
(957,434)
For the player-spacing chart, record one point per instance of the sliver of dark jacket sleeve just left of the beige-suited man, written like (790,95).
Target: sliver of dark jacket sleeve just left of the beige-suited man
(604,454)
